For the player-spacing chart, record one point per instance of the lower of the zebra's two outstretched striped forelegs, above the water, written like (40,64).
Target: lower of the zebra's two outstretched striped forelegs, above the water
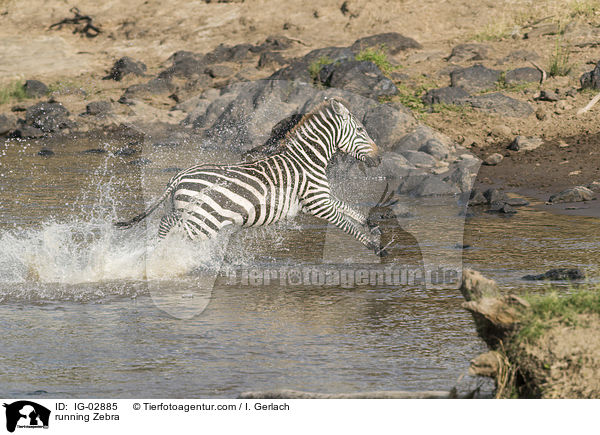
(330,210)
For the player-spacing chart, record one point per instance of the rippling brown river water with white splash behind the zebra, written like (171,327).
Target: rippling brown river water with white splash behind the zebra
(90,311)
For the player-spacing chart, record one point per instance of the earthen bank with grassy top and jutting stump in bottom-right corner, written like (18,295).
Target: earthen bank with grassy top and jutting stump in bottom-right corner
(542,346)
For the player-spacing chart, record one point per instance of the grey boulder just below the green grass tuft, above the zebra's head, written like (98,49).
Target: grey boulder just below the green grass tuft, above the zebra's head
(361,77)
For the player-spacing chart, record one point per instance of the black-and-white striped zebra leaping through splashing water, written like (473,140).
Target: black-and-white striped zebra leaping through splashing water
(207,198)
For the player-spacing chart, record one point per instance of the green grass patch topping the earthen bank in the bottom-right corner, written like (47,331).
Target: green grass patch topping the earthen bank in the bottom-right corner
(552,308)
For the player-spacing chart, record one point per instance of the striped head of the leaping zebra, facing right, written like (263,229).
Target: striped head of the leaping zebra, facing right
(353,138)
